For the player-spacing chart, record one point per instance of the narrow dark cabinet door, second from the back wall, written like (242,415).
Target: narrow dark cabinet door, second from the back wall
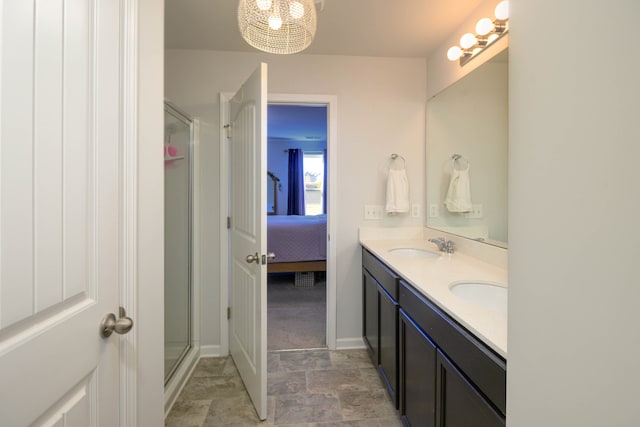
(389,342)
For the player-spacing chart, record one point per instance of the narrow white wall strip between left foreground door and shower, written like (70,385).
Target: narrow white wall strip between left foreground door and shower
(148,301)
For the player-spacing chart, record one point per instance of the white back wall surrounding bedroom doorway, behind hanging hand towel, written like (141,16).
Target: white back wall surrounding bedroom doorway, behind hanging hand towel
(381,104)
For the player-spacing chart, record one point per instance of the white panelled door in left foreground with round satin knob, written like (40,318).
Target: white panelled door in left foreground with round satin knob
(60,199)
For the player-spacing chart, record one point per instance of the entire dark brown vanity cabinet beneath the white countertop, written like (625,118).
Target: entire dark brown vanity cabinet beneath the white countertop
(437,372)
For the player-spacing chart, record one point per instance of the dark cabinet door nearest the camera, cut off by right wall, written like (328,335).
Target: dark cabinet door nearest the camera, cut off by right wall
(459,404)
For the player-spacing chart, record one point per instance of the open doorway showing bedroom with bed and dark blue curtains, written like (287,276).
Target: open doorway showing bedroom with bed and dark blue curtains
(297,165)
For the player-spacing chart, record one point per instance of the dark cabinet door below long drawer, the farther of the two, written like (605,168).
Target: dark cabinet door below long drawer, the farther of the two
(417,375)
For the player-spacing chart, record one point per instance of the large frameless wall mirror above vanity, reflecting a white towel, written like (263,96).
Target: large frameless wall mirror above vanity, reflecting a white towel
(467,153)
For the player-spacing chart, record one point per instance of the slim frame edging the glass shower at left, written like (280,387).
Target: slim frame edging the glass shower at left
(176,378)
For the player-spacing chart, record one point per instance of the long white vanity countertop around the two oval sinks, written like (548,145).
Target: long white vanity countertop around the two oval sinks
(433,276)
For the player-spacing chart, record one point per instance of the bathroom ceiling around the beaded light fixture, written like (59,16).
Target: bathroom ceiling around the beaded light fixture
(390,28)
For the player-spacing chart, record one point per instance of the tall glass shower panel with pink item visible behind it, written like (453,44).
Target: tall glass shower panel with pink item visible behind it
(178,256)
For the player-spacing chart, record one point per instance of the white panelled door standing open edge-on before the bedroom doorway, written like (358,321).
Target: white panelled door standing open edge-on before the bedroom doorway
(248,324)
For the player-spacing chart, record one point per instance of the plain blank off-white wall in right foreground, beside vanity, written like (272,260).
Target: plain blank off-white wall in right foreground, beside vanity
(574,239)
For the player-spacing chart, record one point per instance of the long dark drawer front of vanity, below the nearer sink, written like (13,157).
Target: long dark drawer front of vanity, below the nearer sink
(484,368)
